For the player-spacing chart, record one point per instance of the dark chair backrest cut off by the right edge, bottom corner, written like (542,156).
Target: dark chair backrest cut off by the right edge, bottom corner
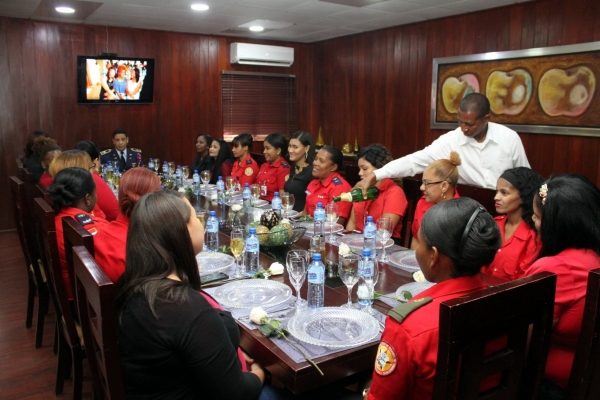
(584,382)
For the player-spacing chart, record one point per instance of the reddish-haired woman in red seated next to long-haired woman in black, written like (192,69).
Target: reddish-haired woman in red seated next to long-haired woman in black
(109,244)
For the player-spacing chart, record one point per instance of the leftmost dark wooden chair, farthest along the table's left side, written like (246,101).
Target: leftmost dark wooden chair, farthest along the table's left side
(35,274)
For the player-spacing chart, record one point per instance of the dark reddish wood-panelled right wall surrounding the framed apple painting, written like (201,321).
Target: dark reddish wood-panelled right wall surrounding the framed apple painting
(397,95)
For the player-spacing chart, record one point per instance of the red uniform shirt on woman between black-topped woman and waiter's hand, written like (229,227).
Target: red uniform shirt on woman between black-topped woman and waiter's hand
(318,192)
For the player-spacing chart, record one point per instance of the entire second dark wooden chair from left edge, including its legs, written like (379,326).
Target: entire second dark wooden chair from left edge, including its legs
(70,346)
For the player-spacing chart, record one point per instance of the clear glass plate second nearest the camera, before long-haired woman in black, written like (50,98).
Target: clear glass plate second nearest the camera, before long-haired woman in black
(252,293)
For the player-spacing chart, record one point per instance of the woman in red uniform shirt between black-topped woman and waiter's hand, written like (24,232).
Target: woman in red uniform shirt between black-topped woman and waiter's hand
(328,183)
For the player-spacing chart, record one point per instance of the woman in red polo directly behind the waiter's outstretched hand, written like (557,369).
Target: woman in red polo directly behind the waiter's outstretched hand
(391,202)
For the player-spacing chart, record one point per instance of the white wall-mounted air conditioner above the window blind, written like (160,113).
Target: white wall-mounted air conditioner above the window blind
(259,54)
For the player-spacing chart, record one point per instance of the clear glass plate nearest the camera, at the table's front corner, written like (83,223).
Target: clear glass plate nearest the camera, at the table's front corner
(334,327)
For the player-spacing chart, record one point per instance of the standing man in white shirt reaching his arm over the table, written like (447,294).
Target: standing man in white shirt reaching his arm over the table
(485,148)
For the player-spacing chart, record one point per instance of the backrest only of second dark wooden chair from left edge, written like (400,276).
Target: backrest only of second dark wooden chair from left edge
(45,217)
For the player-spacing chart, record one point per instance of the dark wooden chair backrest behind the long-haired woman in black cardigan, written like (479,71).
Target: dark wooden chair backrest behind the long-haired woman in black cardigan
(95,294)
